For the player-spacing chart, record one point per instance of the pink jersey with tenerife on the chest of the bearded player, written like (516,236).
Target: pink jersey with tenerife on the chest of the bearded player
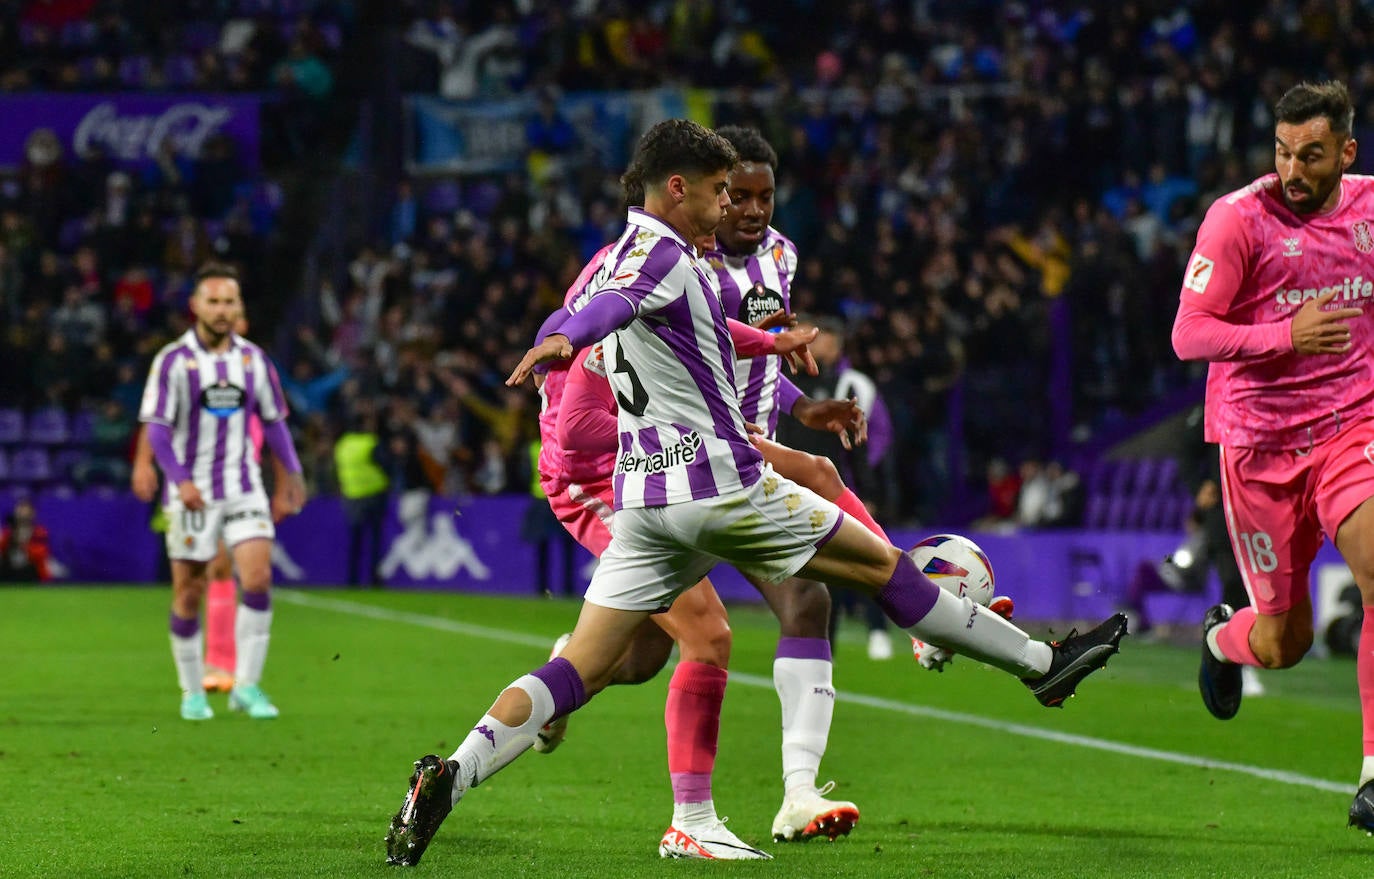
(1254,267)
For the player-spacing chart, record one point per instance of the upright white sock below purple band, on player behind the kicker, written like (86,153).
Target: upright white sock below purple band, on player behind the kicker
(809,703)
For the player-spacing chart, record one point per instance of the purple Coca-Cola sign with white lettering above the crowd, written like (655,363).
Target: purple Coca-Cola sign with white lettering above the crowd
(131,128)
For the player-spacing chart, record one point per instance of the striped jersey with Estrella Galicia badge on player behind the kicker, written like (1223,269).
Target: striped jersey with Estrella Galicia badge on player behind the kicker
(752,288)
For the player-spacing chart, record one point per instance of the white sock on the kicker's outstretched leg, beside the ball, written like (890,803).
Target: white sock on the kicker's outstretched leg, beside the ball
(975,631)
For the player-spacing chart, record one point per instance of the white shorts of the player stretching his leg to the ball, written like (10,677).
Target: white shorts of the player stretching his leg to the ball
(769,531)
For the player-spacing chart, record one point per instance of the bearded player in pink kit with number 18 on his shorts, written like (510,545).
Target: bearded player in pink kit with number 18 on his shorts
(1277,296)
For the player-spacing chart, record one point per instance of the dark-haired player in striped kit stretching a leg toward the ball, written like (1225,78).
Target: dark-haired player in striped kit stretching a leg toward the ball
(692,491)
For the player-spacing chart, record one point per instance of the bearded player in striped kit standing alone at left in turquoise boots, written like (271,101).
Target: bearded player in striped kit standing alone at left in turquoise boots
(197,402)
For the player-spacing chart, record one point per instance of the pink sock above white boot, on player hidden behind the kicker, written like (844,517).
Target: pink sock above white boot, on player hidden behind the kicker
(693,720)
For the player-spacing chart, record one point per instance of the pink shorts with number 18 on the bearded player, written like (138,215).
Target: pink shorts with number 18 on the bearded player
(1279,506)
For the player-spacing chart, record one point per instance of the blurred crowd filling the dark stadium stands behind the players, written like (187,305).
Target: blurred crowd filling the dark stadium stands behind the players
(994,200)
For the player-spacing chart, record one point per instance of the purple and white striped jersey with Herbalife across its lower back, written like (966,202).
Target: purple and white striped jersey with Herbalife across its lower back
(682,436)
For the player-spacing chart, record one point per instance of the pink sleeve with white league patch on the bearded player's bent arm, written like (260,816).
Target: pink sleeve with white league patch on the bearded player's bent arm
(1215,277)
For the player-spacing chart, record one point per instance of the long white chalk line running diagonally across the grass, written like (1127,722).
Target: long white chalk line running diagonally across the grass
(358,609)
